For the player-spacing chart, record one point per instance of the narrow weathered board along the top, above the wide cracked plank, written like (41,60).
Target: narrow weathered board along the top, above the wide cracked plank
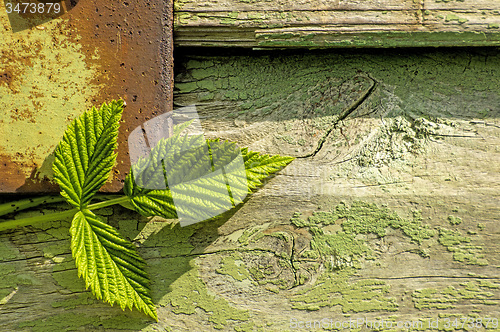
(376,23)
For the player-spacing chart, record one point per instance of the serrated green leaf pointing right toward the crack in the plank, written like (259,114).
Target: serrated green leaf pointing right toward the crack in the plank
(182,161)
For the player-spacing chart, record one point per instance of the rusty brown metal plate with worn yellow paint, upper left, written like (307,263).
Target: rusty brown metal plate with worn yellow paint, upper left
(54,66)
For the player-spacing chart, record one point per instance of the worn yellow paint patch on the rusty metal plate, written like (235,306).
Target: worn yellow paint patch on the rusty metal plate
(47,87)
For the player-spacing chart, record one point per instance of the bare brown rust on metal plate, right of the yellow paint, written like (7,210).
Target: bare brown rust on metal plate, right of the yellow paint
(134,40)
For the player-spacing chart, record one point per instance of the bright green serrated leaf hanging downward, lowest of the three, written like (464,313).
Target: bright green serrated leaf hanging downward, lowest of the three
(109,264)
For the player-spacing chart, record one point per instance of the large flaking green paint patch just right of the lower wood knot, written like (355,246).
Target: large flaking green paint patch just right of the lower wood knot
(342,251)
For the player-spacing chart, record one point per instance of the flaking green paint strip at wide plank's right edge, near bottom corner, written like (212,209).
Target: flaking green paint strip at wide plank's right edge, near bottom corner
(475,292)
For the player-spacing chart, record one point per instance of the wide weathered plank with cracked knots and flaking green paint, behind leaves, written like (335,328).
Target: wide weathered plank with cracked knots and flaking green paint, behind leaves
(406,131)
